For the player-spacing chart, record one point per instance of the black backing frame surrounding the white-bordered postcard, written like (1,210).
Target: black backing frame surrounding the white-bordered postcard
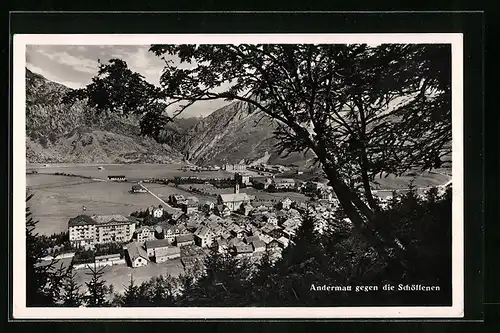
(471,24)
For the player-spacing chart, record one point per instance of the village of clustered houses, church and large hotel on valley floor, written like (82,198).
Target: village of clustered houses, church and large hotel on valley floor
(183,230)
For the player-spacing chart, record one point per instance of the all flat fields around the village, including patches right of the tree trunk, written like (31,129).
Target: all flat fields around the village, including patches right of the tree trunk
(58,198)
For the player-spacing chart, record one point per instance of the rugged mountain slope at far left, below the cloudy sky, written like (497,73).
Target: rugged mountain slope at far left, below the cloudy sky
(60,133)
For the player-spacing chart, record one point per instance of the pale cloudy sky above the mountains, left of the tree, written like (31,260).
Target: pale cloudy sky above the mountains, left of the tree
(75,65)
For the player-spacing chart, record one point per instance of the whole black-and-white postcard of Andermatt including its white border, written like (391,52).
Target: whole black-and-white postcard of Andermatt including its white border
(238,176)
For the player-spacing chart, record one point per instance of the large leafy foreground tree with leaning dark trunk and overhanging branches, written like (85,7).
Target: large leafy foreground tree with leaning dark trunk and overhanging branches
(363,110)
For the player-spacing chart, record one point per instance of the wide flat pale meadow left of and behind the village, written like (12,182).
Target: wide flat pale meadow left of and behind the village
(59,198)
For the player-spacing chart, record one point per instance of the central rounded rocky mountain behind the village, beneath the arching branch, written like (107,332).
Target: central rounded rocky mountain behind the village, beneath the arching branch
(236,133)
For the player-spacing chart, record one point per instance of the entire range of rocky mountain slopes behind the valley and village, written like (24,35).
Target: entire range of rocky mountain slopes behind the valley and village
(59,133)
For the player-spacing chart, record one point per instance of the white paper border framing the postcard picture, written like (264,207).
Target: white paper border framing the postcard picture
(20,311)
